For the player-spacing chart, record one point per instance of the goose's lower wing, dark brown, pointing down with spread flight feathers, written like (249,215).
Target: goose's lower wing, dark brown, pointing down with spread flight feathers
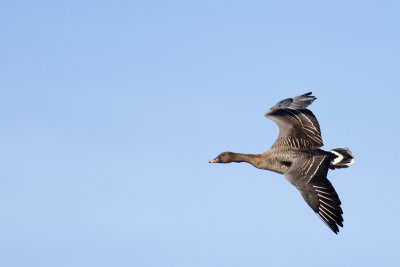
(308,174)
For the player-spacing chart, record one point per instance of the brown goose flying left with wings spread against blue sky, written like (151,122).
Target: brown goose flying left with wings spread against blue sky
(297,156)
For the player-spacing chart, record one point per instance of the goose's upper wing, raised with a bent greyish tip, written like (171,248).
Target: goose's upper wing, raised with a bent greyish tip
(298,126)
